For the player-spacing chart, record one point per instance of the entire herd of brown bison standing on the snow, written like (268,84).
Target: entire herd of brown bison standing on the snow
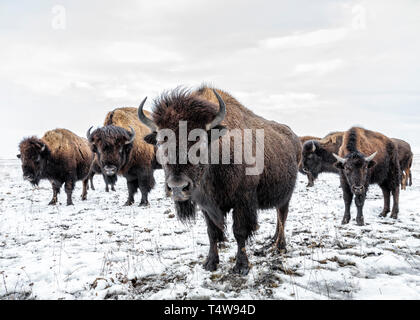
(129,142)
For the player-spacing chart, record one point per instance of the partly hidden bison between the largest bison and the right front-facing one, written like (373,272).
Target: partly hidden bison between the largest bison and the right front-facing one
(317,155)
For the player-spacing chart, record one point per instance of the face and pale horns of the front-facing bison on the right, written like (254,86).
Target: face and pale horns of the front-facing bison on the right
(355,168)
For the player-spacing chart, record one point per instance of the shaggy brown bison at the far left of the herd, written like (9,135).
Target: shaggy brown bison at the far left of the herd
(59,156)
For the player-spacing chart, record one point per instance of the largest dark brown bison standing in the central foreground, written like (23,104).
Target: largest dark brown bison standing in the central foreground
(217,188)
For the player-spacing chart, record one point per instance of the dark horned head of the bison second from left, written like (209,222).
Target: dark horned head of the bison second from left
(112,146)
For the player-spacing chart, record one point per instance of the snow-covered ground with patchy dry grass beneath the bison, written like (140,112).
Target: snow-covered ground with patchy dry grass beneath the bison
(99,249)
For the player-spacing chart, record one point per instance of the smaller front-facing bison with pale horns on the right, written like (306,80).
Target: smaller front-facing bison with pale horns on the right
(365,158)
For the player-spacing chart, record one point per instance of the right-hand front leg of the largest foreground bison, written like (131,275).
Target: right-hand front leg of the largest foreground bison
(244,224)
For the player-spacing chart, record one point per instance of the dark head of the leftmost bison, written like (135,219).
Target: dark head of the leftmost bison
(33,155)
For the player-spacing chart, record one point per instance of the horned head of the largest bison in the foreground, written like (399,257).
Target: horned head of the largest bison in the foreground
(171,113)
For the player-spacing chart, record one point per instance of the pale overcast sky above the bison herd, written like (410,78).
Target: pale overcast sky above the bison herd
(318,66)
